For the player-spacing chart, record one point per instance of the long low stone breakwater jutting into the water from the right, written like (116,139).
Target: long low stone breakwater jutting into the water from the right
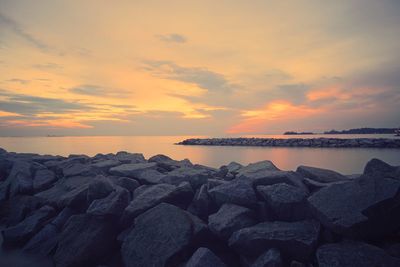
(296,142)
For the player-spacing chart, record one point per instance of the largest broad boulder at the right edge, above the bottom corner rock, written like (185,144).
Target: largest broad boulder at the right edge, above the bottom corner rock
(367,207)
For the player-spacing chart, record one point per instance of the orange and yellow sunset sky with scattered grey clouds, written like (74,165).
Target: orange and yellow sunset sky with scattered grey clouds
(216,68)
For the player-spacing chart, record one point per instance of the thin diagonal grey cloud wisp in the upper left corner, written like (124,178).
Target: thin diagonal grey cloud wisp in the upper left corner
(10,24)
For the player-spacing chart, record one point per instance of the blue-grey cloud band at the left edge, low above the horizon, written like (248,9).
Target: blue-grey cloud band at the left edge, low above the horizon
(27,105)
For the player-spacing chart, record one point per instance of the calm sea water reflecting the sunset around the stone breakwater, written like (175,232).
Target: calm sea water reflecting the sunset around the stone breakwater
(345,160)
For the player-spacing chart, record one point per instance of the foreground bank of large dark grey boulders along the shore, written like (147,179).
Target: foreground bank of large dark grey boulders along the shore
(124,210)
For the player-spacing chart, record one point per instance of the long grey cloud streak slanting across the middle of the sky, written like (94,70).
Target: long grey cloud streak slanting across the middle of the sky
(202,77)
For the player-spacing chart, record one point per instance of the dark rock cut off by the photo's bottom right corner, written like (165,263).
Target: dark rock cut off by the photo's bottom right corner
(351,254)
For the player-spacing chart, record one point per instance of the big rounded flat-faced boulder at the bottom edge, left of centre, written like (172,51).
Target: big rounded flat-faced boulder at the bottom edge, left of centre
(165,243)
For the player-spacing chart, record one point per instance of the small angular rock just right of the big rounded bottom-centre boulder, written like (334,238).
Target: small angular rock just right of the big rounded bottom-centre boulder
(229,219)
